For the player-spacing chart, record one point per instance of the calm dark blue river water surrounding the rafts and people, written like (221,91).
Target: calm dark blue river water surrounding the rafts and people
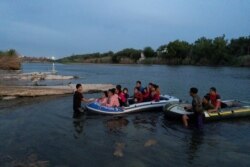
(42,130)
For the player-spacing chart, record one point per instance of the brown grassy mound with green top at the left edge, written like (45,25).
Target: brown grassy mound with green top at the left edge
(9,60)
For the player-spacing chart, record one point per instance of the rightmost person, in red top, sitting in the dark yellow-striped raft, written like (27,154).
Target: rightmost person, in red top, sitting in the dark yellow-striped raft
(215,100)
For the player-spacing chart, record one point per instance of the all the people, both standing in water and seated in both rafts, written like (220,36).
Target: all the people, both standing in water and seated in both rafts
(118,97)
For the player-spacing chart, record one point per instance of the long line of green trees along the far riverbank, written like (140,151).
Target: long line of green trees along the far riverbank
(204,51)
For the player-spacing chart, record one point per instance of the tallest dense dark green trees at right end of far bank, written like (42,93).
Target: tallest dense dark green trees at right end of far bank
(205,51)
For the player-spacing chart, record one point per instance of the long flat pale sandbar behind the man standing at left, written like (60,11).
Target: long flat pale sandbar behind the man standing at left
(32,91)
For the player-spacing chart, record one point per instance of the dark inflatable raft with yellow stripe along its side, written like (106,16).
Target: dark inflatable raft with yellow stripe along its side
(230,109)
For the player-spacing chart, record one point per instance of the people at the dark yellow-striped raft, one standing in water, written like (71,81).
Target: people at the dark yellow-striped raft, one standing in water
(211,102)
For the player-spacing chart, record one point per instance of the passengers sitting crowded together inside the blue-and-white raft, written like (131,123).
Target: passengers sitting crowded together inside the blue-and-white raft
(118,97)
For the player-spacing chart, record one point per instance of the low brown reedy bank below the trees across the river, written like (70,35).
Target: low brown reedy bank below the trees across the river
(241,61)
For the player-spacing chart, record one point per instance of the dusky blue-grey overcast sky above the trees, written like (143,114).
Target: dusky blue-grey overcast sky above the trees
(64,27)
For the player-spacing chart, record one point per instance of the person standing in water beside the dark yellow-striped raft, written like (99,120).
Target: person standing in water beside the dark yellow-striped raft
(196,108)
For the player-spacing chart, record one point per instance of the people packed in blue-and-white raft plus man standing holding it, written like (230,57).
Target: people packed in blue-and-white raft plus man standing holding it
(118,97)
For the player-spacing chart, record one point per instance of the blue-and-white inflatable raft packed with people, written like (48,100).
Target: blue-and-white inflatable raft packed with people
(96,107)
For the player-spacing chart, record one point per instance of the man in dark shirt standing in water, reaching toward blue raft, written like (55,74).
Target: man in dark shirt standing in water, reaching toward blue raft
(78,98)
